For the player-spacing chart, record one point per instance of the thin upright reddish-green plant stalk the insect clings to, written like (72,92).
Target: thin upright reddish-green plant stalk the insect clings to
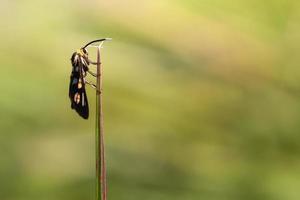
(101,189)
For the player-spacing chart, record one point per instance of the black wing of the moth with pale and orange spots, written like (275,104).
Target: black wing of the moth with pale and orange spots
(77,92)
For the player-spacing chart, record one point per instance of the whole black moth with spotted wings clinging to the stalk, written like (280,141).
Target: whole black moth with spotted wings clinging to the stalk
(80,68)
